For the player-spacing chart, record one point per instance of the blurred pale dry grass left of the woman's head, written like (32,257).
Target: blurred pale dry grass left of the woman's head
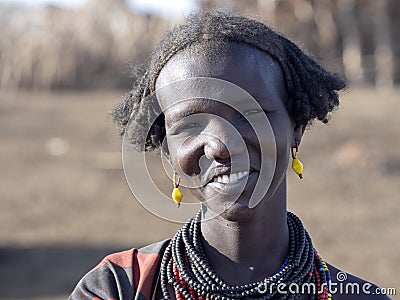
(50,47)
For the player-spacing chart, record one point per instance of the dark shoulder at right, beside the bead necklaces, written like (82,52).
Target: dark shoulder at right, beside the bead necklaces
(347,286)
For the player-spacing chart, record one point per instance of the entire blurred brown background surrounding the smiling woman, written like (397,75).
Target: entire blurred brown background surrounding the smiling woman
(64,201)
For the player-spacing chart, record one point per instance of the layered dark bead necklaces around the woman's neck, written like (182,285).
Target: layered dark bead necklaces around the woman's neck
(185,266)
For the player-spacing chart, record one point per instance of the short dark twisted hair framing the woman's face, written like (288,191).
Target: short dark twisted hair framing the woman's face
(312,90)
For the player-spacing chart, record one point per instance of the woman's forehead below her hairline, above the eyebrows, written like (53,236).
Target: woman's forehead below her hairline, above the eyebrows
(241,65)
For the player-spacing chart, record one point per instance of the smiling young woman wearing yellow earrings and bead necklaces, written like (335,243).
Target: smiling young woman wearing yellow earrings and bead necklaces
(233,98)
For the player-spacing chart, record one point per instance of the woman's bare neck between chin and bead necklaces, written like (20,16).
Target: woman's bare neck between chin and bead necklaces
(253,248)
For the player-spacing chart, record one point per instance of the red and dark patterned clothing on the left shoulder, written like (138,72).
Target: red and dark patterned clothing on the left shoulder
(131,274)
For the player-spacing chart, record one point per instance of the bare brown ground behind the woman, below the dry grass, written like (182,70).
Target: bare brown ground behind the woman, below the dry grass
(65,202)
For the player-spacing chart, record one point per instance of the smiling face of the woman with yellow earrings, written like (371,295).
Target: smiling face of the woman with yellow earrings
(208,139)
